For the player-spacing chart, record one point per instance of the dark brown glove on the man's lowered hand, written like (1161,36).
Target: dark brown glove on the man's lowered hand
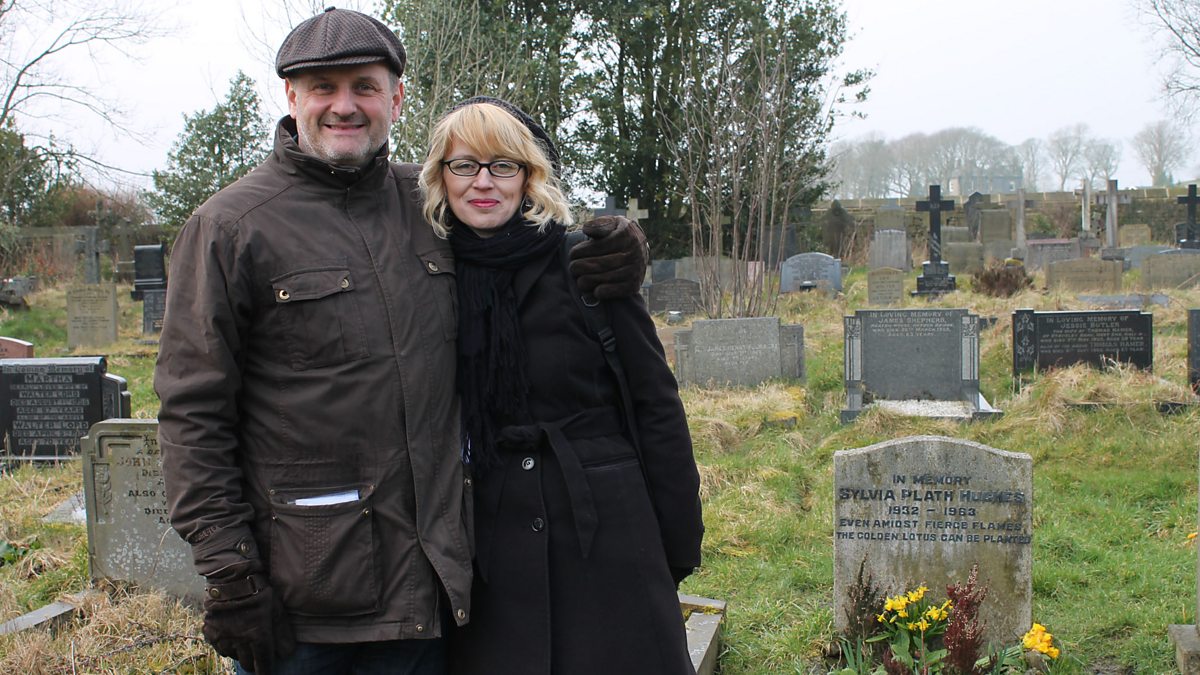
(245,620)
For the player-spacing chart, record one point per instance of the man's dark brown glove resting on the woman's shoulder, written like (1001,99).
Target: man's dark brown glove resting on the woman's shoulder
(611,264)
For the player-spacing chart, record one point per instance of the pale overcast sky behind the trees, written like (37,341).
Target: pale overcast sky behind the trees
(1013,69)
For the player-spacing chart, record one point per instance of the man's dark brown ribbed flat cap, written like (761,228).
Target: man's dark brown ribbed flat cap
(340,38)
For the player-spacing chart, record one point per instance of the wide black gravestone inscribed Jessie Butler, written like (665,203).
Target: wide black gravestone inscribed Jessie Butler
(1055,339)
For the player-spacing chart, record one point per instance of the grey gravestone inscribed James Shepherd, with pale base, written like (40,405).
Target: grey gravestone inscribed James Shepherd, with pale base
(923,362)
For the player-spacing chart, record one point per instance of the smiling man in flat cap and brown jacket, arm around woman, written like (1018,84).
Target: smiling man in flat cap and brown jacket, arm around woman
(309,426)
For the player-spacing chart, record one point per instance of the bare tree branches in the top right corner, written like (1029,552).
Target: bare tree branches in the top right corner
(1179,22)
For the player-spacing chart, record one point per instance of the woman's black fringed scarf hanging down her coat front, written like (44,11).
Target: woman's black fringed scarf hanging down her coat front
(493,380)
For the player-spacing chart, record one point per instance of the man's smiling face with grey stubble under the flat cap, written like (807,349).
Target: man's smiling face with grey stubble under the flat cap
(344,114)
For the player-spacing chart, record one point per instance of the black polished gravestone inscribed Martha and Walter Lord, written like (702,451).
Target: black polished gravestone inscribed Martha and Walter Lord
(47,405)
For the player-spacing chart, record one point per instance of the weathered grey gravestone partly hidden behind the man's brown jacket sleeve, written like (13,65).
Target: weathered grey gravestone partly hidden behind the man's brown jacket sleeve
(129,529)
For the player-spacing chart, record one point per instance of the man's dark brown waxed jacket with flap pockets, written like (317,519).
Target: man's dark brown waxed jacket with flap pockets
(308,355)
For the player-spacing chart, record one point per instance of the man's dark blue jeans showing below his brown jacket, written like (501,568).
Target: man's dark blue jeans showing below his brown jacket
(393,658)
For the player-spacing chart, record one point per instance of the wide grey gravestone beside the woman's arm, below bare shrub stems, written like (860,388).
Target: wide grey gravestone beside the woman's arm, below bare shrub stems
(741,353)
